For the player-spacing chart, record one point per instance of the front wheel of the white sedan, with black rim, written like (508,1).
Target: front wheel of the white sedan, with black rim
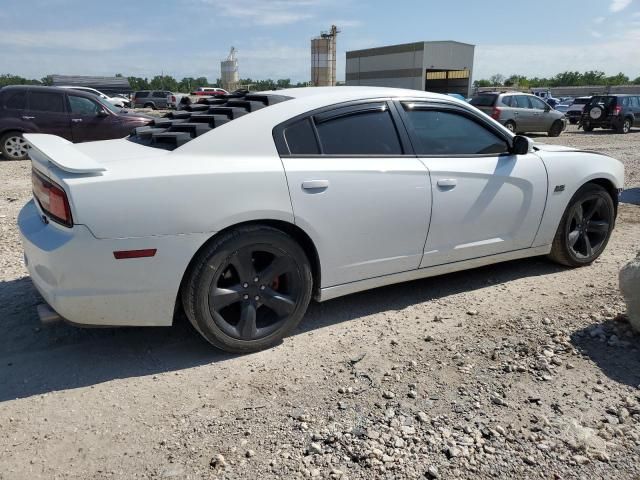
(589,236)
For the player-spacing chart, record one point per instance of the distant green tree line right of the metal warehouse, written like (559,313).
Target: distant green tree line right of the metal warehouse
(564,79)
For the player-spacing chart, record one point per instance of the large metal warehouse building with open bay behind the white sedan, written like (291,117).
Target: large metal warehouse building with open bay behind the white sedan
(441,67)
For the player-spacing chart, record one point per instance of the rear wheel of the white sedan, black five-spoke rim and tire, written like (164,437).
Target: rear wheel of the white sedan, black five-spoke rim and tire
(246,315)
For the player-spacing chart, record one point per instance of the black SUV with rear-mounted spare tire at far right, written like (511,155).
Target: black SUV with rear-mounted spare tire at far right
(616,112)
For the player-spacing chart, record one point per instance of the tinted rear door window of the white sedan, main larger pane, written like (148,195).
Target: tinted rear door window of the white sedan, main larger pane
(364,132)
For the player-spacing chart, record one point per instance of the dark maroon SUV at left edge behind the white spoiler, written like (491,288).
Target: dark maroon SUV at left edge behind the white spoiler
(76,116)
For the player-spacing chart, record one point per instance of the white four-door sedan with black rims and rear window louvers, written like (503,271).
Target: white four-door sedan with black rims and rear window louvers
(240,212)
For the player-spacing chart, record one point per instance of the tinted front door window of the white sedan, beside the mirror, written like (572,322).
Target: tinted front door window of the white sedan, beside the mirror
(449,133)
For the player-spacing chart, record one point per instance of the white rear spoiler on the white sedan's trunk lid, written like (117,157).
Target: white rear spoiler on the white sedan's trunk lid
(62,153)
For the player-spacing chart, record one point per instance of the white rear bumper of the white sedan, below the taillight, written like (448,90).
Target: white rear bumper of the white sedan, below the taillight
(79,277)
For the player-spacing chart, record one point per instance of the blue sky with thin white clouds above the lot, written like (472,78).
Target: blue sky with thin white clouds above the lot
(189,38)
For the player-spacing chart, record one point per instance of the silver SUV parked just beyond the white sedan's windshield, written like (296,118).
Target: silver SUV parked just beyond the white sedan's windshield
(521,112)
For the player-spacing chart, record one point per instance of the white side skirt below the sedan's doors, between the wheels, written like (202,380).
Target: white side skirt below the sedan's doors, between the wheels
(370,283)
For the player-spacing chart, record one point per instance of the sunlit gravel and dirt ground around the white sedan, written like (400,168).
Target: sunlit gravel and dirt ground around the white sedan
(518,370)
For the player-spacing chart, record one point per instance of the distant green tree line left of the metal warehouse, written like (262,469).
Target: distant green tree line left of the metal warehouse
(164,82)
